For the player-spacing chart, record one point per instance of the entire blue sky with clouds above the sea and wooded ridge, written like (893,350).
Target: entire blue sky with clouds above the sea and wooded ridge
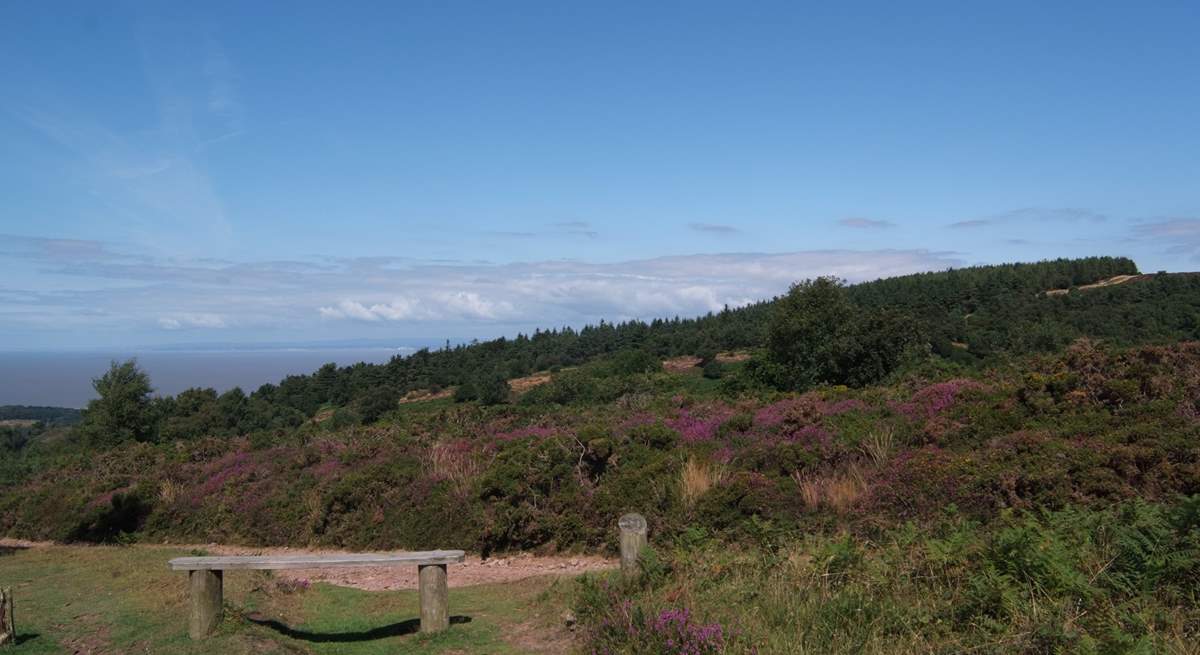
(233,172)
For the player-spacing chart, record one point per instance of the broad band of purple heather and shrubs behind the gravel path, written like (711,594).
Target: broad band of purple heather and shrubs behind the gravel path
(547,477)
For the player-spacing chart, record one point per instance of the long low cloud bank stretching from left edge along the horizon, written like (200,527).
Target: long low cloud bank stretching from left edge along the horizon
(97,290)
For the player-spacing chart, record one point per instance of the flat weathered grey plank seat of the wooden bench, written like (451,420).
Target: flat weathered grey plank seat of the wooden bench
(229,563)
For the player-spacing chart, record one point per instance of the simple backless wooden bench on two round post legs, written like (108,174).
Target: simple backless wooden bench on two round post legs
(206,576)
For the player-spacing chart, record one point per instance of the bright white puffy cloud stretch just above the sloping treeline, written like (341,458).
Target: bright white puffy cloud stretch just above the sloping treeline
(573,292)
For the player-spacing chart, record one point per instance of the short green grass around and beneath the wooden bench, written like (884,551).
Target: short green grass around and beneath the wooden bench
(75,599)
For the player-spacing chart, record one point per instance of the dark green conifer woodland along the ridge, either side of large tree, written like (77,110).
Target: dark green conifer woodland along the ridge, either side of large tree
(969,316)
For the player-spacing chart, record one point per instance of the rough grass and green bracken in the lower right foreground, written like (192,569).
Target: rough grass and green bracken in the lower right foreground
(1120,581)
